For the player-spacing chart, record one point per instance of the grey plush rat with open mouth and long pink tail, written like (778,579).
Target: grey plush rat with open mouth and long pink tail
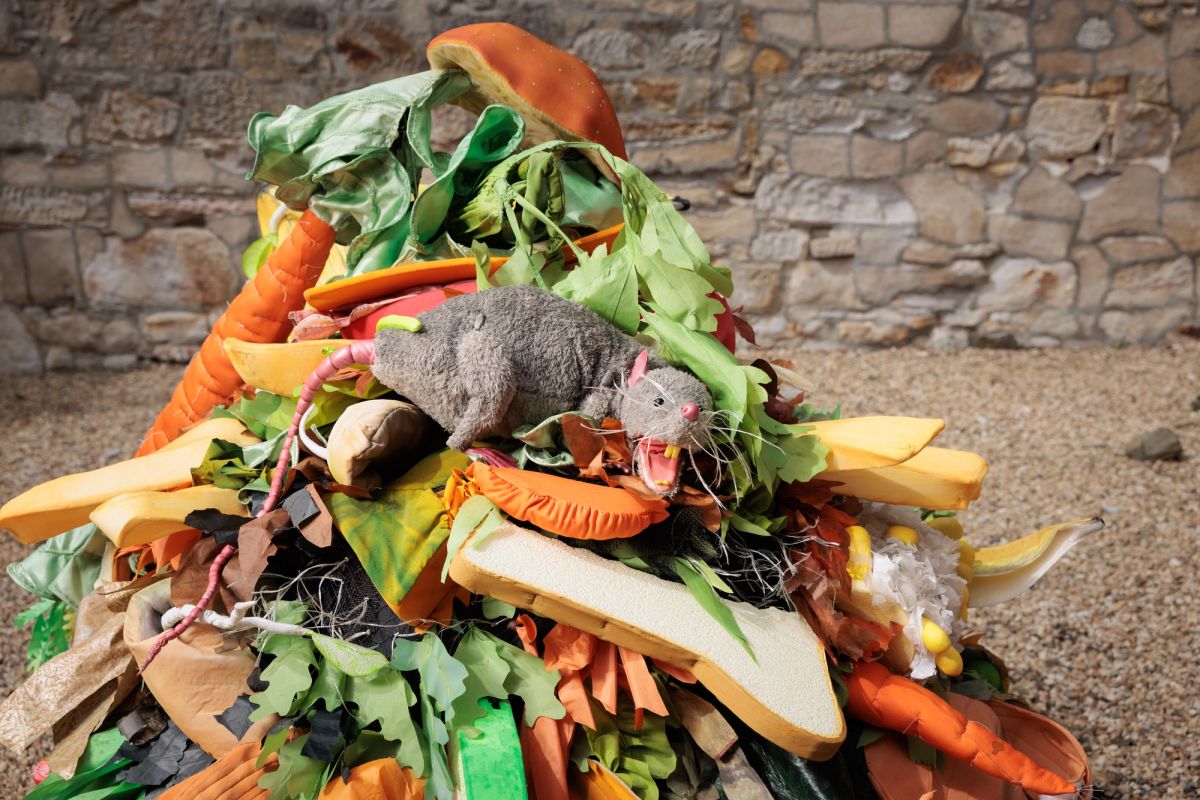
(485,364)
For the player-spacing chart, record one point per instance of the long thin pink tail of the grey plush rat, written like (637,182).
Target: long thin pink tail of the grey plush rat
(358,353)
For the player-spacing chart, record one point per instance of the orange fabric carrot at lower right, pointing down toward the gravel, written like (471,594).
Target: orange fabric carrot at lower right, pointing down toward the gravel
(887,701)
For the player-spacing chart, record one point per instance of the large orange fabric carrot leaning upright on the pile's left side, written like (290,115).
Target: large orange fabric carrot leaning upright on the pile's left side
(260,314)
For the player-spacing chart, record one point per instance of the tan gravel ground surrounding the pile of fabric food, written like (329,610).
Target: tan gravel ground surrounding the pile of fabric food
(1087,646)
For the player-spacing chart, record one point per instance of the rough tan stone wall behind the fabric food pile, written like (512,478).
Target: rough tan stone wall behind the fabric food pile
(877,172)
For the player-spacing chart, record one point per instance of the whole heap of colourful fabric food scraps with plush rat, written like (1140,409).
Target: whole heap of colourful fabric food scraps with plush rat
(467,495)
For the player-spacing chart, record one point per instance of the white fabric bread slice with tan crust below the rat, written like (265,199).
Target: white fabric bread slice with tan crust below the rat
(784,693)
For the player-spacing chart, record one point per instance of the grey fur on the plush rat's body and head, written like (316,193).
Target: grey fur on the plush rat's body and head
(487,364)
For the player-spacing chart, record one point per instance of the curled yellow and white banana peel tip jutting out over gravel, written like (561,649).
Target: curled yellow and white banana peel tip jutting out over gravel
(1007,570)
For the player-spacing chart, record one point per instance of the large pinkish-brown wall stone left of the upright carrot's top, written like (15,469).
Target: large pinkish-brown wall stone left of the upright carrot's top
(185,268)
